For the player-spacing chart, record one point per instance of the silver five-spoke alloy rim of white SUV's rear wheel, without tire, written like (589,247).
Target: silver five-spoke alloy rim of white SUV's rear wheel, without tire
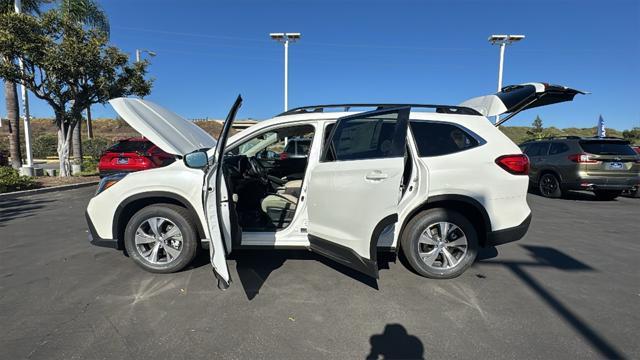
(442,245)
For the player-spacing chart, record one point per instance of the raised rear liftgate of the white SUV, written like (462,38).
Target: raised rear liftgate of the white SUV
(515,98)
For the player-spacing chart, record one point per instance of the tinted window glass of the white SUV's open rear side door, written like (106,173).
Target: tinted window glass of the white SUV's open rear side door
(368,137)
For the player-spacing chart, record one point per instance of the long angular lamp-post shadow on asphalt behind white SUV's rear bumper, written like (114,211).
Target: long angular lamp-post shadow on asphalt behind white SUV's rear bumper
(551,258)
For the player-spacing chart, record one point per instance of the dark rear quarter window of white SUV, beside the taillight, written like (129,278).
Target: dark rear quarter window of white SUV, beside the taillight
(435,139)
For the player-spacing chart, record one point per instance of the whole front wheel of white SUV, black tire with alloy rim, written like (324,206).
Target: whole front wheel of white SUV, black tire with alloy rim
(174,253)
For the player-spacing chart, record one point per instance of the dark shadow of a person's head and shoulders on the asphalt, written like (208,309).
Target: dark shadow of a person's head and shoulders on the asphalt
(395,343)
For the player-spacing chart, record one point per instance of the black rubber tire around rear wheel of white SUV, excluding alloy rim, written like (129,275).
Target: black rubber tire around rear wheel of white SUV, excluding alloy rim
(415,227)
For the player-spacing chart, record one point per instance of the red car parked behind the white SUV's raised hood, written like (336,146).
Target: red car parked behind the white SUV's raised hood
(133,154)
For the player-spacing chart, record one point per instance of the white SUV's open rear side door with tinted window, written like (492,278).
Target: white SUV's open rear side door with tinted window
(354,190)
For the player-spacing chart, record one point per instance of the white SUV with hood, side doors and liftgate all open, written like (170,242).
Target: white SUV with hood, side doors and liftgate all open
(436,182)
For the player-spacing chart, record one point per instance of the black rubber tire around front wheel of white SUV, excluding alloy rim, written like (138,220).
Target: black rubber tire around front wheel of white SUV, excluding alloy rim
(178,216)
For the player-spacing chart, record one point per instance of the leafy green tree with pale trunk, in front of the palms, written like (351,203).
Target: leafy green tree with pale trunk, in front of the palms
(64,62)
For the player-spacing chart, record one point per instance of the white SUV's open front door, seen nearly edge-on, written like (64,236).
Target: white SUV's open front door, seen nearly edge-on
(216,204)
